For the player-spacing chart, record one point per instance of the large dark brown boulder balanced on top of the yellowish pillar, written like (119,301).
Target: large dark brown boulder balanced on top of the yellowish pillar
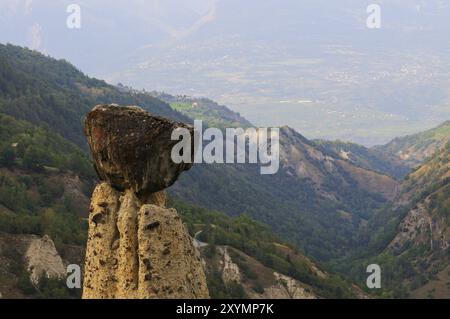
(132,149)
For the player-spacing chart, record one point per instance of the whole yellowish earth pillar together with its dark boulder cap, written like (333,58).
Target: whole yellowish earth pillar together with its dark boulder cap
(137,248)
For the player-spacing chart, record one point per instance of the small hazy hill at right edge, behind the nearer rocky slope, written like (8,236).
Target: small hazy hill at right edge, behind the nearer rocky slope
(412,150)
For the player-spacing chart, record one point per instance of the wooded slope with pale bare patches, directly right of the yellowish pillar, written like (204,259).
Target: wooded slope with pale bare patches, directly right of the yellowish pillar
(245,258)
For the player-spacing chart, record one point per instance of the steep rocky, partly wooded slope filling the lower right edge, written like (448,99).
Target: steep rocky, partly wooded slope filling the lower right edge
(410,237)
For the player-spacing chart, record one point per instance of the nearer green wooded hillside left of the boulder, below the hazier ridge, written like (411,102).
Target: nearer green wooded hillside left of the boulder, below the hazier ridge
(45,182)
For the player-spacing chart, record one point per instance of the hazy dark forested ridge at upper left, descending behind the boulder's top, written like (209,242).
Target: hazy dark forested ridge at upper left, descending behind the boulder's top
(46,91)
